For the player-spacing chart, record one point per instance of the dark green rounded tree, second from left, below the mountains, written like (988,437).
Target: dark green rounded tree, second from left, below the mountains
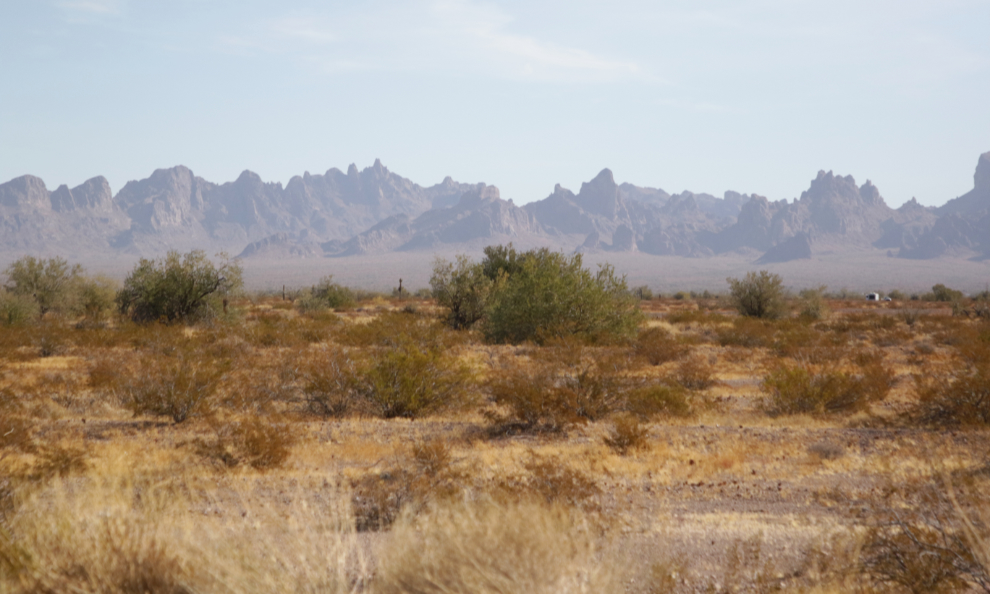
(177,287)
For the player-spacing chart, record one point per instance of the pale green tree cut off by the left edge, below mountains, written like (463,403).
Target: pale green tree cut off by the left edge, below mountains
(49,282)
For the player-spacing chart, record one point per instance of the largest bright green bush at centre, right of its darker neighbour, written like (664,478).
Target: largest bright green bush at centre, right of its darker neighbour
(552,296)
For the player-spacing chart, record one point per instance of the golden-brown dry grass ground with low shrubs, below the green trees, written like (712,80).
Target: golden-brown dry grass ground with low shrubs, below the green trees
(284,475)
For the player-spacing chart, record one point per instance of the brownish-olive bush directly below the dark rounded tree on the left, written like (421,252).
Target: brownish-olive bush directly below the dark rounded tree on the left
(178,386)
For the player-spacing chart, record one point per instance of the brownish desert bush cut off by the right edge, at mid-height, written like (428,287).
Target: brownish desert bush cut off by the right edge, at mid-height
(960,397)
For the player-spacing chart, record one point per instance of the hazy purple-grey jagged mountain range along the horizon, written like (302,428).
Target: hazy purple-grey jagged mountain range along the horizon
(375,211)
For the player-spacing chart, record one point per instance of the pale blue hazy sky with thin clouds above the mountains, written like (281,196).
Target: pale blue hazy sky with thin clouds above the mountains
(754,96)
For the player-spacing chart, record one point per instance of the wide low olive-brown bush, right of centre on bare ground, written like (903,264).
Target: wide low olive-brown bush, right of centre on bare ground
(799,388)
